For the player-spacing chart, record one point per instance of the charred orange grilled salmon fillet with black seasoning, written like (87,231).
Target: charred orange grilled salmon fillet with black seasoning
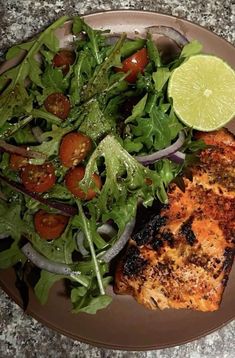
(182,257)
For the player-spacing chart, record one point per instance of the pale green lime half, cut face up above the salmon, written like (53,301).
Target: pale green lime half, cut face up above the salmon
(203,92)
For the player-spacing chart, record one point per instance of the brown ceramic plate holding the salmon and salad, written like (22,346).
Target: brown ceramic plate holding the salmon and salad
(126,324)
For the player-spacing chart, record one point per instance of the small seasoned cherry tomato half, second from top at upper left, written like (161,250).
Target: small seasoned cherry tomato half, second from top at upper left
(58,104)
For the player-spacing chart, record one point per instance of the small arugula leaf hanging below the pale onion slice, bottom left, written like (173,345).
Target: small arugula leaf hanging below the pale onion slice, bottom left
(44,284)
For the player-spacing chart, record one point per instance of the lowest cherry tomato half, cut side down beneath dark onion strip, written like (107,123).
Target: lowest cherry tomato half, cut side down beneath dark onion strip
(49,226)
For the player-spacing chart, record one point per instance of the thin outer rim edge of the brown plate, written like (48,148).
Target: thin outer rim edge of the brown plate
(97,343)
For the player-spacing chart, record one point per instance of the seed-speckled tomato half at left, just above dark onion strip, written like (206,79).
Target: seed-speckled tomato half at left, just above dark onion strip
(38,178)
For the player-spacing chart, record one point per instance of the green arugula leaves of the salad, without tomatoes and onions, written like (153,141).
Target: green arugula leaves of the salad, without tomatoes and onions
(99,96)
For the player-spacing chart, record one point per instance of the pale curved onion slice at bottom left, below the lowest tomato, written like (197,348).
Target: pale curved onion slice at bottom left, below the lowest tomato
(51,266)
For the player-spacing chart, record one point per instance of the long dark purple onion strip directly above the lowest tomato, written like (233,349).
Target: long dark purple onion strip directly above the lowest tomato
(63,208)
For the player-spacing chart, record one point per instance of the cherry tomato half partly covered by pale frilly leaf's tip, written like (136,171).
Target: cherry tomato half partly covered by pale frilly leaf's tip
(72,179)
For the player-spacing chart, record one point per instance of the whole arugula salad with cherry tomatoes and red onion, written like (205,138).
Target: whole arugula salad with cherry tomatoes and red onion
(87,135)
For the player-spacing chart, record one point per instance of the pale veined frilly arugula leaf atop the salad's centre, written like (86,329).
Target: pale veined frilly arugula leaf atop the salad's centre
(123,175)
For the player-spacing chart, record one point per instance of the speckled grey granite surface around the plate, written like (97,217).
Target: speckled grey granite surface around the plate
(20,335)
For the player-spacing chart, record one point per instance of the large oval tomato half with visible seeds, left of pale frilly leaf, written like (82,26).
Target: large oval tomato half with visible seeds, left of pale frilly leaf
(74,148)
